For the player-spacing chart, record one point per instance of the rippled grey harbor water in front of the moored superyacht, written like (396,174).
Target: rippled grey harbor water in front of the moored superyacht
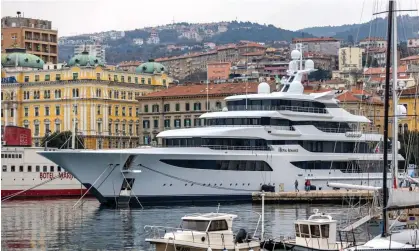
(55,225)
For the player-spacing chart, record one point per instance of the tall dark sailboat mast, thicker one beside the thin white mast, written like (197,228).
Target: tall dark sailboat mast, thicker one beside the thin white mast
(386,107)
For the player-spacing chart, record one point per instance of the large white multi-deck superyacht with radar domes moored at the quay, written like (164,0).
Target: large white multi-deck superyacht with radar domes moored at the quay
(266,139)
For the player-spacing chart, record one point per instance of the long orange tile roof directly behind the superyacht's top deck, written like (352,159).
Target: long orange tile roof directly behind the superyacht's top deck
(201,89)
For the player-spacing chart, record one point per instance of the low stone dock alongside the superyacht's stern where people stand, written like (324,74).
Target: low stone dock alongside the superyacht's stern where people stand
(314,196)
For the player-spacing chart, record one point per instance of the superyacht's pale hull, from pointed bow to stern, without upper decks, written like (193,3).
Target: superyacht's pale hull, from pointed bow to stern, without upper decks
(157,182)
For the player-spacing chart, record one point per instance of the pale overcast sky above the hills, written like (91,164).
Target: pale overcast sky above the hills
(73,17)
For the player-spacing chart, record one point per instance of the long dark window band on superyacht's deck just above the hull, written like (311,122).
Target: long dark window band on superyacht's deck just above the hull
(261,144)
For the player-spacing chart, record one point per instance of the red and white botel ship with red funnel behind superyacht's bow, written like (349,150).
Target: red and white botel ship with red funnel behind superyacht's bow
(25,173)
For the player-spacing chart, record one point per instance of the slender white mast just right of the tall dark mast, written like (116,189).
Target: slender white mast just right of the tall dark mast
(395,103)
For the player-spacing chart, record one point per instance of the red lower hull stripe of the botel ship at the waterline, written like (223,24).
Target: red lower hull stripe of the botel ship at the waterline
(45,193)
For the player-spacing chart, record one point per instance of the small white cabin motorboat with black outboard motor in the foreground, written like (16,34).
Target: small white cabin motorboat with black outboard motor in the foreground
(202,232)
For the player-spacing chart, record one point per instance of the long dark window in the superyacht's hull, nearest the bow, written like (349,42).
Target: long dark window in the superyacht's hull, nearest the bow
(231,165)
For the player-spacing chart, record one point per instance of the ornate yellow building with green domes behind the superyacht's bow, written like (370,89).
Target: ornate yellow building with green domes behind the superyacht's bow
(103,101)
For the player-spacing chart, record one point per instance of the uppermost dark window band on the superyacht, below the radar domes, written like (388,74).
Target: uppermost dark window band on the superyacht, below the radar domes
(274,104)
